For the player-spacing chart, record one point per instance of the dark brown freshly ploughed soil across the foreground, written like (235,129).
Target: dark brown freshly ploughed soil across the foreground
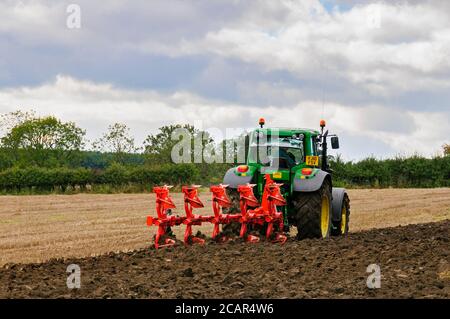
(414,262)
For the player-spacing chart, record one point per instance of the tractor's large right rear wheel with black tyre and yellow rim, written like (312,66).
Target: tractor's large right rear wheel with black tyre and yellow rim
(313,213)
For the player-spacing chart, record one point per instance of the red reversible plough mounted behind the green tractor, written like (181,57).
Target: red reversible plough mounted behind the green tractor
(253,214)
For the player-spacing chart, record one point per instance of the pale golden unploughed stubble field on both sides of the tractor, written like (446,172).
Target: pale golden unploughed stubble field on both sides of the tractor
(37,228)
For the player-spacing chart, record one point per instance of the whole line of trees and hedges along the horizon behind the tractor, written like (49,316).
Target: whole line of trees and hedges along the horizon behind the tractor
(46,154)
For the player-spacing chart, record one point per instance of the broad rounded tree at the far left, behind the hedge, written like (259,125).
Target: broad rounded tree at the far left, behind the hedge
(43,141)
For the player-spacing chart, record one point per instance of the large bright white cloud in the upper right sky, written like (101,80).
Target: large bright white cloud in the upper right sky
(379,60)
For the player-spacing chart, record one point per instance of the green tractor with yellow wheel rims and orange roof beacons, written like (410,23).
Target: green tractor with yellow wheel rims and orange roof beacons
(298,159)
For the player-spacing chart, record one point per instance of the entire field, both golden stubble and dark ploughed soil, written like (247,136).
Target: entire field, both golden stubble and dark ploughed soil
(91,230)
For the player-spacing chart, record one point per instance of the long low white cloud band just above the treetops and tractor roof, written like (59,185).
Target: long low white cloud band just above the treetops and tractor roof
(96,105)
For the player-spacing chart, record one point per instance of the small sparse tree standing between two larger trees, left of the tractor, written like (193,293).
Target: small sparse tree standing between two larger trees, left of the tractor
(118,141)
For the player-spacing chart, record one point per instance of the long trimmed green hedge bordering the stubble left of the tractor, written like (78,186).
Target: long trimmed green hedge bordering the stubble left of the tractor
(41,180)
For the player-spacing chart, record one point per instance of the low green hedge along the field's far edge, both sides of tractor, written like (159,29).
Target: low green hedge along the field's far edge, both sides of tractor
(398,172)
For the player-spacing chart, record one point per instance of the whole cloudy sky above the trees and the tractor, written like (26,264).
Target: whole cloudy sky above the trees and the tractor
(377,72)
